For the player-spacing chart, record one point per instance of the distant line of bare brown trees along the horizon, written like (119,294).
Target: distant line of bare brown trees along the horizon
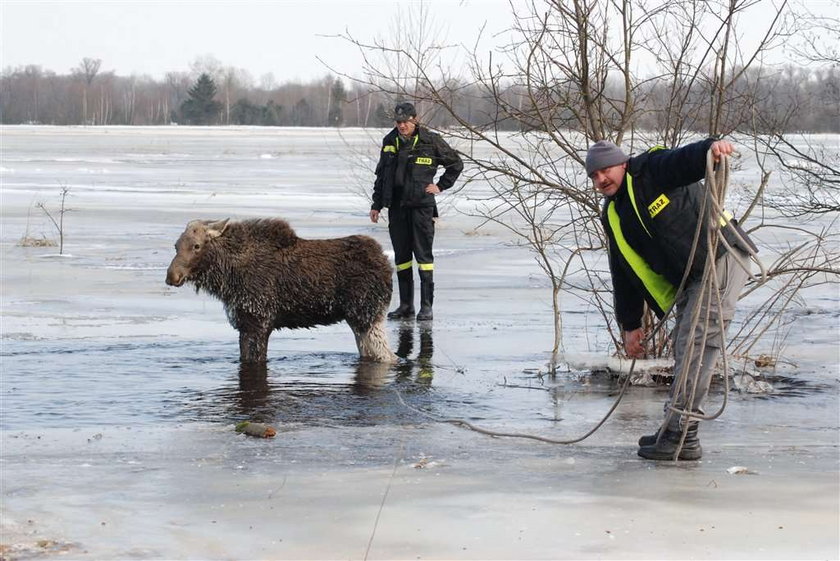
(803,99)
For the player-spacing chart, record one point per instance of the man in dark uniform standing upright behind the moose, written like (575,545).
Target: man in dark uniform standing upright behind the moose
(405,183)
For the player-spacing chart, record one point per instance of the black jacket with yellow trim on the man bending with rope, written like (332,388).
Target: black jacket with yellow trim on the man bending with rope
(661,228)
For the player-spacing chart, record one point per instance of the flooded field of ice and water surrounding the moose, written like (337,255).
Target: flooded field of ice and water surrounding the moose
(120,394)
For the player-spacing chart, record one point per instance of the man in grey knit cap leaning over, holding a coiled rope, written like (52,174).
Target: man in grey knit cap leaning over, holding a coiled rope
(653,204)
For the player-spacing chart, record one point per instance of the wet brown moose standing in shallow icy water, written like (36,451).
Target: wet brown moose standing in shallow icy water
(268,278)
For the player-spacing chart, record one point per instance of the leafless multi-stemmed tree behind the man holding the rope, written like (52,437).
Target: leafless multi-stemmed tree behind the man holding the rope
(571,76)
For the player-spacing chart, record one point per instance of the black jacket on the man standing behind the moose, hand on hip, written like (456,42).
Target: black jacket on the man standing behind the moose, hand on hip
(423,153)
